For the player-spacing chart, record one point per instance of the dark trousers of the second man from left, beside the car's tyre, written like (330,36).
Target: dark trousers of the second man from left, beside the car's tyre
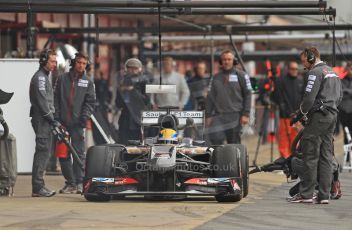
(72,172)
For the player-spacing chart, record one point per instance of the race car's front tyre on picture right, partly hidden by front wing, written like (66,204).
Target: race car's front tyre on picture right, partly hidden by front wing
(223,158)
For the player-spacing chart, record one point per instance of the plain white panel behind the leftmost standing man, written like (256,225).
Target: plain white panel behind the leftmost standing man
(15,77)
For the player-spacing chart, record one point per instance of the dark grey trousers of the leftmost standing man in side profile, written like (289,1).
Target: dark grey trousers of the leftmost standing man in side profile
(43,142)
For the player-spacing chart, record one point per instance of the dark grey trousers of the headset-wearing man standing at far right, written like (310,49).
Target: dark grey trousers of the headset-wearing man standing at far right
(317,149)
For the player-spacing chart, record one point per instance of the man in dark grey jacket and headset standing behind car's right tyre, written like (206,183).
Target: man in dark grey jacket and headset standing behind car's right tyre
(228,102)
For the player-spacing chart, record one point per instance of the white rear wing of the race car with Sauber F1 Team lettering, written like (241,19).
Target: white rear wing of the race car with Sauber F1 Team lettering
(151,117)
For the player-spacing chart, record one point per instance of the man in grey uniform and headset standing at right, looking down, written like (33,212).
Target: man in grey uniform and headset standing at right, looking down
(322,95)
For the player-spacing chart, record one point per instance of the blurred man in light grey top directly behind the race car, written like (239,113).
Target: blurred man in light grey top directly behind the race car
(171,77)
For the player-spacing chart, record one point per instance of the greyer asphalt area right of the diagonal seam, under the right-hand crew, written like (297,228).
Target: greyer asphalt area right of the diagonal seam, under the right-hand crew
(273,212)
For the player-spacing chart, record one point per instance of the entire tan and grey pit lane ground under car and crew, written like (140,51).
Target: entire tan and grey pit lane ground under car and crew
(264,208)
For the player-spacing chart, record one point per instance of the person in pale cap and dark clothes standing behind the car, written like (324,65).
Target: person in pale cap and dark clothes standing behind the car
(132,100)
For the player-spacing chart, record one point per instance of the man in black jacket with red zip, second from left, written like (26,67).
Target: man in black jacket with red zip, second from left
(74,104)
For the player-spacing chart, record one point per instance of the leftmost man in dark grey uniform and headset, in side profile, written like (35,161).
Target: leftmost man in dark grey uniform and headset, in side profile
(42,112)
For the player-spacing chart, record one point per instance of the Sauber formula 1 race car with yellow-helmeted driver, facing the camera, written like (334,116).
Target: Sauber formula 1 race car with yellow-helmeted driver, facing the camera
(168,165)
